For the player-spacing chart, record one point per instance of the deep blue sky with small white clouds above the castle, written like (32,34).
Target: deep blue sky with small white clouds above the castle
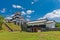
(33,9)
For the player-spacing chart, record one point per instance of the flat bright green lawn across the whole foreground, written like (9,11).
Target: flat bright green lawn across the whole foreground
(53,35)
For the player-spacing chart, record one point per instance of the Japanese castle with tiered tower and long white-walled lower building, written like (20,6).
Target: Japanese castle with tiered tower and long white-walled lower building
(31,26)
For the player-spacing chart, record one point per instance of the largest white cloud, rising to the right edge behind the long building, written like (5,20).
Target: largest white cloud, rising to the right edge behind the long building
(54,15)
